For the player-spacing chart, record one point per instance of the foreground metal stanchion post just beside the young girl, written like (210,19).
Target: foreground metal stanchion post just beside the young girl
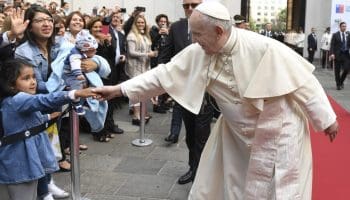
(74,155)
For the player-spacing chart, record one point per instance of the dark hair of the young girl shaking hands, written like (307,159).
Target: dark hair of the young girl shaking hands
(9,71)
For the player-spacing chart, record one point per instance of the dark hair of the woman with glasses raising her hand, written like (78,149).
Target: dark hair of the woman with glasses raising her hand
(29,15)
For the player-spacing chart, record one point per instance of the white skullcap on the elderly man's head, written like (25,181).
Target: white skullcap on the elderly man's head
(214,9)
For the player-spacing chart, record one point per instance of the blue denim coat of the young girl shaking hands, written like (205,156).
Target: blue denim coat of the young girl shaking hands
(31,158)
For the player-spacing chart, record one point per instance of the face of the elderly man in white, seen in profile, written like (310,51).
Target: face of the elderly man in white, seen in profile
(205,35)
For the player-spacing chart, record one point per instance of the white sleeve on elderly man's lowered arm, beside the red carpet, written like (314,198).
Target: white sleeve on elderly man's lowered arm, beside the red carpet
(313,100)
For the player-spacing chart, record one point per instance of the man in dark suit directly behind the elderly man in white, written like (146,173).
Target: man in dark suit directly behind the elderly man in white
(197,126)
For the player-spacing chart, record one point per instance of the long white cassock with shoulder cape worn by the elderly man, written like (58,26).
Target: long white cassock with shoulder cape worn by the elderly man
(260,146)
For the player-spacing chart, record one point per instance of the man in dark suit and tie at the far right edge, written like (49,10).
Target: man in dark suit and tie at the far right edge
(339,52)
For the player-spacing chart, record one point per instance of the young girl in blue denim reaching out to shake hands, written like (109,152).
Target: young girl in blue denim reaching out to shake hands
(24,162)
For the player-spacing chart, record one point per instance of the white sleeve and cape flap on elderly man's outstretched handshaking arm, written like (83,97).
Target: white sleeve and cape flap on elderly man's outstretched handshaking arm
(183,78)
